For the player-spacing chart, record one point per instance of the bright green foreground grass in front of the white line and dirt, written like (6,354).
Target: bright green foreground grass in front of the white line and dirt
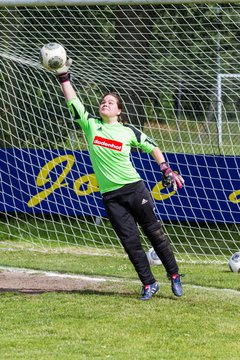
(110,325)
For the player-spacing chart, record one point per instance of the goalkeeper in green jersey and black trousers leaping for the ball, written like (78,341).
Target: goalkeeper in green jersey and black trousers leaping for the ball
(126,199)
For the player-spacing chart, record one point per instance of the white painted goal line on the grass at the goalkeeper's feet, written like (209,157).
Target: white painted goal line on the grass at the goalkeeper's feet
(106,279)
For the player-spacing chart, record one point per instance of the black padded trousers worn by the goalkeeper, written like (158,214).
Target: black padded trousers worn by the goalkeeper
(128,207)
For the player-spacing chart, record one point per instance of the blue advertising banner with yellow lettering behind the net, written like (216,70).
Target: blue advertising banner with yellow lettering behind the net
(63,182)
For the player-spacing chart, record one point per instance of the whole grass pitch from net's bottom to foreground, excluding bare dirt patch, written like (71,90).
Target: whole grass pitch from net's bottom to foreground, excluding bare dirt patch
(110,322)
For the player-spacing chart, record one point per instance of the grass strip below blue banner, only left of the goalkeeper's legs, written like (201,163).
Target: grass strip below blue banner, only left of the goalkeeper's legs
(56,229)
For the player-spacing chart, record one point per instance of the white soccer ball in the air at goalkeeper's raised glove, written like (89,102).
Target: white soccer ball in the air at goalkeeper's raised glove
(53,56)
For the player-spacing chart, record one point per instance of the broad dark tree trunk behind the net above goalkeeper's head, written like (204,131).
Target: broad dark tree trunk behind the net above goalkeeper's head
(133,26)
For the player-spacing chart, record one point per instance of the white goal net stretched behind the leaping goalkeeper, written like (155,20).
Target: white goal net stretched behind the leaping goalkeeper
(174,65)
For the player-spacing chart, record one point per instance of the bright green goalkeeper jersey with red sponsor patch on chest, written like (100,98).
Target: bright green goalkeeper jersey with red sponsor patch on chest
(109,148)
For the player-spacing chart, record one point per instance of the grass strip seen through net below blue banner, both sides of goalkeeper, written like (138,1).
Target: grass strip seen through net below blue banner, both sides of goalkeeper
(212,241)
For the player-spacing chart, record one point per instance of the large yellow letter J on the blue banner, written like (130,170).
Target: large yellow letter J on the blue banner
(43,178)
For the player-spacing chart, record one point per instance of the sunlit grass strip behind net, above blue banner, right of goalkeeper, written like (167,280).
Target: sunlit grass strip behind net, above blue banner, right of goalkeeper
(191,137)
